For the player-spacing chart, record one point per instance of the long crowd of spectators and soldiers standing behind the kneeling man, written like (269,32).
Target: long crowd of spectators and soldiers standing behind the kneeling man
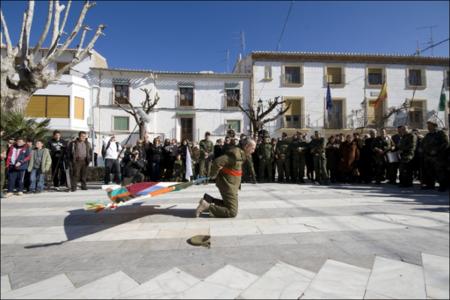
(353,158)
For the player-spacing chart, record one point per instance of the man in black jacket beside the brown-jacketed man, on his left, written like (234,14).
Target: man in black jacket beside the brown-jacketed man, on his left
(57,147)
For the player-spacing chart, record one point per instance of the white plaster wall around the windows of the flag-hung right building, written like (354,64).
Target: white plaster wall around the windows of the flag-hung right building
(314,91)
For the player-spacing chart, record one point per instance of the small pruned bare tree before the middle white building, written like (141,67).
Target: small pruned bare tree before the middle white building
(147,106)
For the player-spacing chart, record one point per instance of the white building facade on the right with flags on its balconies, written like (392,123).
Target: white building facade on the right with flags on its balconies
(355,83)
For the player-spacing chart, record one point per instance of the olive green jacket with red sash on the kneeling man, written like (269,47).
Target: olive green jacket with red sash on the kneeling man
(230,162)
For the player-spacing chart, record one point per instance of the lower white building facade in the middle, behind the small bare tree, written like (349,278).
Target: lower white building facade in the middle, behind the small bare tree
(189,103)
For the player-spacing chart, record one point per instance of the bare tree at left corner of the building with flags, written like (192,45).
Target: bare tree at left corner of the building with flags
(258,117)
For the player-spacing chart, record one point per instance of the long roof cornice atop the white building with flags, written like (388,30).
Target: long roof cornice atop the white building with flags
(351,58)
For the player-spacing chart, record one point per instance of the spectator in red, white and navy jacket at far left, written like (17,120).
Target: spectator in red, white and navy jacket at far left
(17,164)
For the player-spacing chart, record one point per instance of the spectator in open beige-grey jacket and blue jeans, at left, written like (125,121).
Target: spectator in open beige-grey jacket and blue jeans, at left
(40,164)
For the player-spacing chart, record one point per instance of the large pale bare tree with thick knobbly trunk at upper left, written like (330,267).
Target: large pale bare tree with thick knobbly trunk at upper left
(25,69)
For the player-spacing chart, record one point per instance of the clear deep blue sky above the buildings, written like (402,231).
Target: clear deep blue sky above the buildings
(194,36)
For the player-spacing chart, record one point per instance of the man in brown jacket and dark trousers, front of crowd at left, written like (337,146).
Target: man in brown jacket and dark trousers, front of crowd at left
(79,153)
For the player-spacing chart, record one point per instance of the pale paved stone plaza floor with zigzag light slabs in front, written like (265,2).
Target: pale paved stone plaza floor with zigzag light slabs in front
(288,241)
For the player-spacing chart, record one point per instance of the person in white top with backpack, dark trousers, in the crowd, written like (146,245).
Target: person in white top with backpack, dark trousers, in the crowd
(110,152)
